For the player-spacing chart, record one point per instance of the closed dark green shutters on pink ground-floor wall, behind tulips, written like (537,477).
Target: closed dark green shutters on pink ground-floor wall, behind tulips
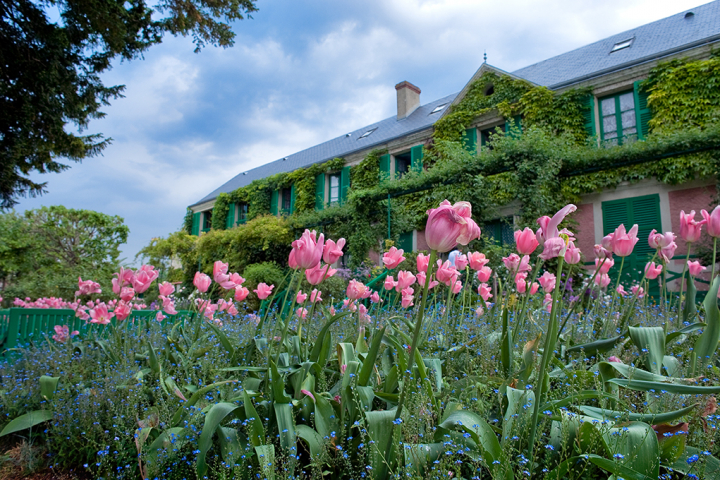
(645,211)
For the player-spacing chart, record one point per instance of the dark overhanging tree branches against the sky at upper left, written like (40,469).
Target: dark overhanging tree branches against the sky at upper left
(50,72)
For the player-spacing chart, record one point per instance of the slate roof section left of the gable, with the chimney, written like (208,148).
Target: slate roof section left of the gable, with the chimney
(386,130)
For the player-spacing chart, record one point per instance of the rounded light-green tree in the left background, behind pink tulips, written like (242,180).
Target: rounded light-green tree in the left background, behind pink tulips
(44,251)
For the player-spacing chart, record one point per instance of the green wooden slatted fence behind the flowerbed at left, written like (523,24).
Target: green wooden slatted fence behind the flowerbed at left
(22,326)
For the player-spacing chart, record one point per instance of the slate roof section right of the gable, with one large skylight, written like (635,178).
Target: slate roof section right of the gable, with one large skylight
(651,41)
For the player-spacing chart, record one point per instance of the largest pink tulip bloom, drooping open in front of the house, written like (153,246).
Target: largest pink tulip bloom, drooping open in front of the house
(449,225)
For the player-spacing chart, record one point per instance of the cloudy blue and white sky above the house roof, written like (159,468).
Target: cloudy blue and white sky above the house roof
(302,73)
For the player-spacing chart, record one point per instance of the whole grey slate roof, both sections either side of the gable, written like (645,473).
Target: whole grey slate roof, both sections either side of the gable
(652,41)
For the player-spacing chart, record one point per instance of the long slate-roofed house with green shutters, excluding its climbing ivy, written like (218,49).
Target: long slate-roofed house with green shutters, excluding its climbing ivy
(617,112)
